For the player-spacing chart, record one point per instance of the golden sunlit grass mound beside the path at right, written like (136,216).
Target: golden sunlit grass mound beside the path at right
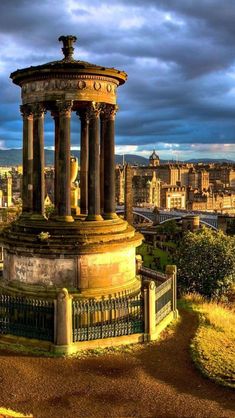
(213,347)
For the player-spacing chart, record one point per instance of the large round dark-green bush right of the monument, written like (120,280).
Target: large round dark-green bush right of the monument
(206,263)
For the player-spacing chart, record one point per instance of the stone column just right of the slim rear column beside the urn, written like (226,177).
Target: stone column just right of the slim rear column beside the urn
(94,165)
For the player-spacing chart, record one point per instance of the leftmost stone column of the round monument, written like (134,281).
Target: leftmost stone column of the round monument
(27,186)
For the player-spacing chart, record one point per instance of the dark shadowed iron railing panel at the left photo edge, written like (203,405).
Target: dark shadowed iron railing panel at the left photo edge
(31,318)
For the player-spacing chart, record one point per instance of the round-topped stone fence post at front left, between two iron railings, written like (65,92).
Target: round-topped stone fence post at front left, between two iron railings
(63,321)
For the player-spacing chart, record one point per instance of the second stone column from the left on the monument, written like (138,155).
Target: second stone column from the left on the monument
(38,161)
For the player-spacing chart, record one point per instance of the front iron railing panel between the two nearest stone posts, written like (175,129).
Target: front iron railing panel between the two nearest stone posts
(107,318)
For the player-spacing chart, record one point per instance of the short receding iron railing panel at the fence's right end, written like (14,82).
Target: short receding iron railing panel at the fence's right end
(164,300)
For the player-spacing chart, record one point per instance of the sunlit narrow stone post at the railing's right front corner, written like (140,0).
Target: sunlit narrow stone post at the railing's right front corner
(150,309)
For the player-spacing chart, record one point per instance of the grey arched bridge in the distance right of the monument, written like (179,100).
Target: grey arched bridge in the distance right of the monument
(162,216)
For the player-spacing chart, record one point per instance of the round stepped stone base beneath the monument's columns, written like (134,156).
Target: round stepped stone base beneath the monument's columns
(91,258)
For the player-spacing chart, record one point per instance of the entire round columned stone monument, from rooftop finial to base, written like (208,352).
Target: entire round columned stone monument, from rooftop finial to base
(91,254)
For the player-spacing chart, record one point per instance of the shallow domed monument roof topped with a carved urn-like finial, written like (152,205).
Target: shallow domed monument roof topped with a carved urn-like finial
(66,65)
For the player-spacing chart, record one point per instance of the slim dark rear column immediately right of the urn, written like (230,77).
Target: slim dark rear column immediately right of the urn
(83,114)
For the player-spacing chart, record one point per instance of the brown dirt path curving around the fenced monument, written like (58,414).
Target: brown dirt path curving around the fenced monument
(157,380)
